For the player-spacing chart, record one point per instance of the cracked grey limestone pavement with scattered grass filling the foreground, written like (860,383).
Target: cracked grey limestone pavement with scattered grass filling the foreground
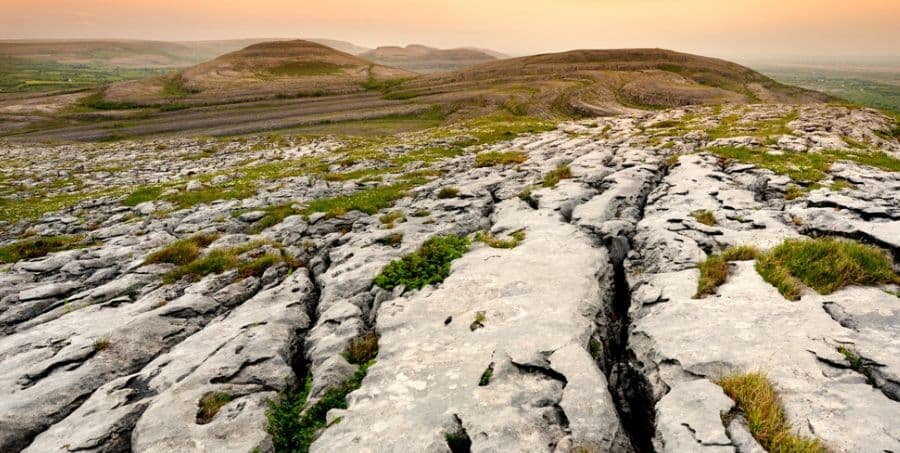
(579,333)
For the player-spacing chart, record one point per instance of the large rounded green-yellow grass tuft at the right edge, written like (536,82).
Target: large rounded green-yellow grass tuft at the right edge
(825,265)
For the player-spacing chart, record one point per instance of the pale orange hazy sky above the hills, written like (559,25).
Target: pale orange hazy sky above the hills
(711,27)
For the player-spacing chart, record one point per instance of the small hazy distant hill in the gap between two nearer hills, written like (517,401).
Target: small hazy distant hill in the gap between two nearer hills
(423,59)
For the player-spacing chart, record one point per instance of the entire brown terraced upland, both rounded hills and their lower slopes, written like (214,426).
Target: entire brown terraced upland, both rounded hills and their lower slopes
(277,80)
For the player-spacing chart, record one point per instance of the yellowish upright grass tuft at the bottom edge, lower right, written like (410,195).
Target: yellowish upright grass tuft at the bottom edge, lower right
(758,400)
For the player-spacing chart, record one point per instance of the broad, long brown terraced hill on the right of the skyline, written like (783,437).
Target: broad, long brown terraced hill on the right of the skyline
(592,82)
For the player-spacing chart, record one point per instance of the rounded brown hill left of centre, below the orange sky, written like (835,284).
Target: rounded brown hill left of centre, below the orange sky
(291,68)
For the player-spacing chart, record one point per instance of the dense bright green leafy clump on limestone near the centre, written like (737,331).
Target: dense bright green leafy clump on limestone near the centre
(428,265)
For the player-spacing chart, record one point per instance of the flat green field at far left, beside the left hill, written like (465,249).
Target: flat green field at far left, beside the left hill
(21,75)
